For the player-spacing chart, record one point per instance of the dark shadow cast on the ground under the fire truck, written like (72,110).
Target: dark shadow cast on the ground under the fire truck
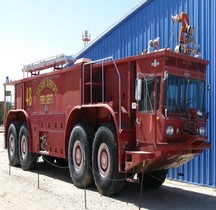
(165,197)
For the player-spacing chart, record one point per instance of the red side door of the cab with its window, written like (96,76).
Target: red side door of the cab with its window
(148,97)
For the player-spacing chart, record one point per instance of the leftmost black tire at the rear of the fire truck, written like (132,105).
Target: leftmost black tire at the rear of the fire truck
(12,144)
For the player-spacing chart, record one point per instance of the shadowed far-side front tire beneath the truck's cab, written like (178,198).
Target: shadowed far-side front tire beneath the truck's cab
(153,179)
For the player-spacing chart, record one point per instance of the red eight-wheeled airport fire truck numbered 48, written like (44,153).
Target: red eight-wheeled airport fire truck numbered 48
(110,119)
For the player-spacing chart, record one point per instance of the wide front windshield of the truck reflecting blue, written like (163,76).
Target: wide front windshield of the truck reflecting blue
(181,94)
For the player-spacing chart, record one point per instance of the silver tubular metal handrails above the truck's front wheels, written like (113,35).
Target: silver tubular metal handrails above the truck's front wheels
(91,89)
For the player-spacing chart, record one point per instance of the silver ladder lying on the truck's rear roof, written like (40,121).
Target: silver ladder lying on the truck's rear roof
(51,62)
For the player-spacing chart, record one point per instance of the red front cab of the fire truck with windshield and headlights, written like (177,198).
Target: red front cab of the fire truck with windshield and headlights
(171,116)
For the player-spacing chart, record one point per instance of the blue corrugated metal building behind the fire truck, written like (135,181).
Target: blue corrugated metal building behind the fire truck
(148,20)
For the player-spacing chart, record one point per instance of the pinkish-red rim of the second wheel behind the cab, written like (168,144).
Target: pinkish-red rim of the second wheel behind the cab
(77,156)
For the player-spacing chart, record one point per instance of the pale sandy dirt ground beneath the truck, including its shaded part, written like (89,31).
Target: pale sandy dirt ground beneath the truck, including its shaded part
(51,188)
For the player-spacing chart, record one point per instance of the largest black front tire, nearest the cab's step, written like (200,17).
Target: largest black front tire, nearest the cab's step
(105,161)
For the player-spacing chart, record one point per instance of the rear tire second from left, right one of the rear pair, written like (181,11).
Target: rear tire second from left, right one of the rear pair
(28,159)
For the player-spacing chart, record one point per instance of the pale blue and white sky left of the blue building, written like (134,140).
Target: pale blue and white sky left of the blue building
(32,30)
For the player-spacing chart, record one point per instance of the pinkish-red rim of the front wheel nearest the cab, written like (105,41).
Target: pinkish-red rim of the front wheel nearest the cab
(103,160)
